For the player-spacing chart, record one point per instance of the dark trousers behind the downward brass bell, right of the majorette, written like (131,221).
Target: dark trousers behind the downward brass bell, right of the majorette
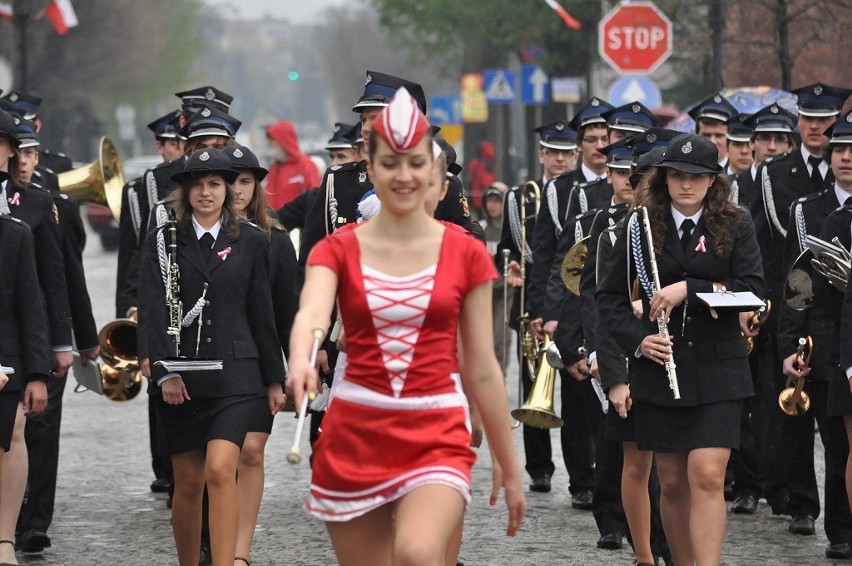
(577,444)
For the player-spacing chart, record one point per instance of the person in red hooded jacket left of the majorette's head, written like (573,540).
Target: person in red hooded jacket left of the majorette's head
(292,172)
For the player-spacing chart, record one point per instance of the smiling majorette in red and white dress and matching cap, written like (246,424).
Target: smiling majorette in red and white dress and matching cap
(394,450)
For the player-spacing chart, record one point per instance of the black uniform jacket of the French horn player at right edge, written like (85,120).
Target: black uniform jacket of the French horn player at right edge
(825,220)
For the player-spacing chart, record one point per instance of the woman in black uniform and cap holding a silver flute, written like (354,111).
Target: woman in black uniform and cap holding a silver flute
(703,243)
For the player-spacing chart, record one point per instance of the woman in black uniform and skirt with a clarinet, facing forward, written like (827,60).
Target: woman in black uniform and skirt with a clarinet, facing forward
(205,415)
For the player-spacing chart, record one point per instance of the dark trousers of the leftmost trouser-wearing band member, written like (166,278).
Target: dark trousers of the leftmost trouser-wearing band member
(42,438)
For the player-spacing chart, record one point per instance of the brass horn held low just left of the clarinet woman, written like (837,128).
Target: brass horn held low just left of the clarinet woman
(120,375)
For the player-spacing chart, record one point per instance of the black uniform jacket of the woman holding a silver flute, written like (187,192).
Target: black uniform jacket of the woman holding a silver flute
(710,354)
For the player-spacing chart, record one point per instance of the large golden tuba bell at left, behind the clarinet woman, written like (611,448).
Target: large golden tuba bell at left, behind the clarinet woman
(99,182)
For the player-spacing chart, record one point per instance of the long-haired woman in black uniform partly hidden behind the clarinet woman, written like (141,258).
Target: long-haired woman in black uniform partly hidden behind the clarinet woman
(250,203)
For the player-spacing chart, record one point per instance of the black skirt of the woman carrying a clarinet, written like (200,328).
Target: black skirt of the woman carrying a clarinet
(192,424)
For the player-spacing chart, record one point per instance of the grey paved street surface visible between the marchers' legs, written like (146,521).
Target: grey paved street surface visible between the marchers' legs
(106,515)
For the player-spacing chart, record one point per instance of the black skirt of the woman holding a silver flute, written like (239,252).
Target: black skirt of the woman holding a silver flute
(681,429)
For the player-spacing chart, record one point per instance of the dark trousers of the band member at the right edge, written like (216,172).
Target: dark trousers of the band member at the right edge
(801,477)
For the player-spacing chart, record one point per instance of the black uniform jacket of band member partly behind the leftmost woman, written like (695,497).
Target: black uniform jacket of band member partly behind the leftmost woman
(35,206)
